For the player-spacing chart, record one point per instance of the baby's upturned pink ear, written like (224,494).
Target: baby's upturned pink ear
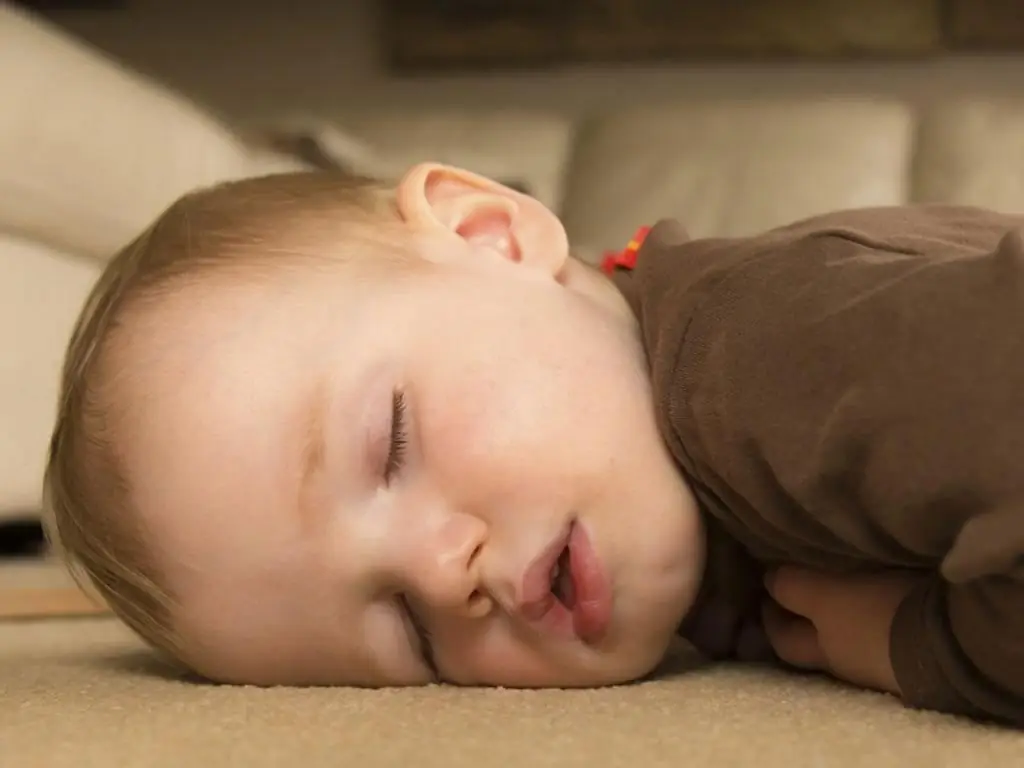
(488,216)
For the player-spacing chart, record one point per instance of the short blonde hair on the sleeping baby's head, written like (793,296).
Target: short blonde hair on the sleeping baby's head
(88,499)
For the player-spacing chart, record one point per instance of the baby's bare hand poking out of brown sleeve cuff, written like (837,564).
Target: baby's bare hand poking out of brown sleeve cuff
(836,624)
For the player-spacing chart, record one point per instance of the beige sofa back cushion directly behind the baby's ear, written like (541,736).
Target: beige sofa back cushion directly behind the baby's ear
(523,148)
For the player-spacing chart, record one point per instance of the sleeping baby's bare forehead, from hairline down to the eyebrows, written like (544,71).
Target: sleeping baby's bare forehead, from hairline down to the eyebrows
(224,382)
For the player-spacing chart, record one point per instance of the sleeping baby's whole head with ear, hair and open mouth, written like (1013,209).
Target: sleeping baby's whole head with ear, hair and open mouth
(316,431)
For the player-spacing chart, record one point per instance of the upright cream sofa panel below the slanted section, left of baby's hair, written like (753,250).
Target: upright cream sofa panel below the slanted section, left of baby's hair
(41,294)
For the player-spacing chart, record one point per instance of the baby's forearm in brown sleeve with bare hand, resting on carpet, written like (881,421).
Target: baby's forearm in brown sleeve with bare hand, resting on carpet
(955,649)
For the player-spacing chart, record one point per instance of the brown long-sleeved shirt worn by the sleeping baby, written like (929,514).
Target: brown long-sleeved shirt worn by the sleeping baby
(847,394)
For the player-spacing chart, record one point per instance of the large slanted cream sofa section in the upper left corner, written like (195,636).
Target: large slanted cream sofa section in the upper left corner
(93,152)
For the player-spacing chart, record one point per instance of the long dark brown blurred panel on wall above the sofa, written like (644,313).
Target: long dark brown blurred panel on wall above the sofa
(545,34)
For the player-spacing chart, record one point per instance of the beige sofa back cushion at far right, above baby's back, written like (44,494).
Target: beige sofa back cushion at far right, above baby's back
(972,153)
